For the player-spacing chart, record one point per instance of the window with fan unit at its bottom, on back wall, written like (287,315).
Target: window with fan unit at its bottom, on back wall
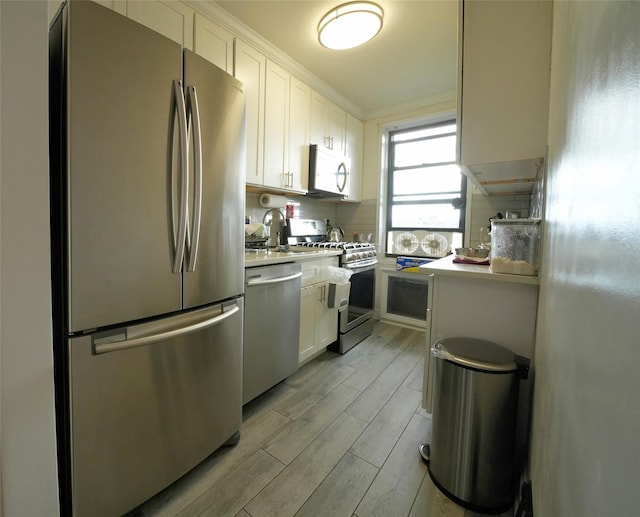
(425,192)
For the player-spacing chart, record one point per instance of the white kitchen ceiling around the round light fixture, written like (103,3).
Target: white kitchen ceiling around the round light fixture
(411,60)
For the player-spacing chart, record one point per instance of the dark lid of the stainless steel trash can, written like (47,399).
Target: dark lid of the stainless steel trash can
(476,353)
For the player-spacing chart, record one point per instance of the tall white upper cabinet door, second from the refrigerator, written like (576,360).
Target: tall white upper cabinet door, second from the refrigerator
(276,127)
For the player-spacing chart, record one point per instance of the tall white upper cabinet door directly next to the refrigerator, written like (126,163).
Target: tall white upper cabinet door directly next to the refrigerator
(250,68)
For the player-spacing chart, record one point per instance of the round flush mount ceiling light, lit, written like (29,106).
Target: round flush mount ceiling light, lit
(350,25)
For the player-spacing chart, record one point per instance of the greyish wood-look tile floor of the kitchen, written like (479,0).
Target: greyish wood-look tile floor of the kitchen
(338,438)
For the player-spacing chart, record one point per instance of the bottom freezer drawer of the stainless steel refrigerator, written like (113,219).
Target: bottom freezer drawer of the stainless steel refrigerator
(143,416)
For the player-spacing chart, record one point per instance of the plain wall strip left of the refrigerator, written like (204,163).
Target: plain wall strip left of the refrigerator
(29,477)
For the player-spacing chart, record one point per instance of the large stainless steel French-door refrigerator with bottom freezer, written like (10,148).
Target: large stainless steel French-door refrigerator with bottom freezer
(147,213)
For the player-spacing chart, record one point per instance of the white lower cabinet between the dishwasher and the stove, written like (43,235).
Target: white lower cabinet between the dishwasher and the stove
(318,323)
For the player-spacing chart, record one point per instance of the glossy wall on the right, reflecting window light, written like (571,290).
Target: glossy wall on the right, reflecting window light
(586,416)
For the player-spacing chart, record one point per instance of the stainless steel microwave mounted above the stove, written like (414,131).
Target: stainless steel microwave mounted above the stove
(328,172)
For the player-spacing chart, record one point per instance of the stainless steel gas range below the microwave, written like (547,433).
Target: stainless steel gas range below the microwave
(356,322)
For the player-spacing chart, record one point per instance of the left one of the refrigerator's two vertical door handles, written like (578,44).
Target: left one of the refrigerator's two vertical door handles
(179,234)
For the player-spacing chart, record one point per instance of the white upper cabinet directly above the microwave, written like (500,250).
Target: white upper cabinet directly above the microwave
(328,122)
